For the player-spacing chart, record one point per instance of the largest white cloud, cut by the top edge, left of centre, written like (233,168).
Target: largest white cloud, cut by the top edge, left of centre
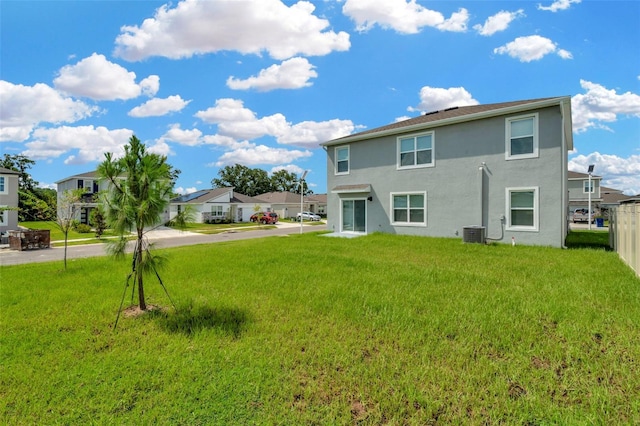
(249,26)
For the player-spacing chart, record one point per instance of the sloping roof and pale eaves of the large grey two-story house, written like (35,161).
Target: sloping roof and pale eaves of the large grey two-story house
(461,114)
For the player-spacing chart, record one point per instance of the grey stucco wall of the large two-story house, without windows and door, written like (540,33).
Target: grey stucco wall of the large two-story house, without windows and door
(458,192)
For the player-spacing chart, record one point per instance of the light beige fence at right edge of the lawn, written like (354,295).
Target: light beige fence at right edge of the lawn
(624,233)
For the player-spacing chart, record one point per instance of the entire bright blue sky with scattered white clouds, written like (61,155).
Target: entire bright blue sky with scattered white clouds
(264,82)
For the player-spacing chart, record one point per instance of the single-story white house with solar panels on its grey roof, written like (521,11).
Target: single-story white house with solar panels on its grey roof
(216,204)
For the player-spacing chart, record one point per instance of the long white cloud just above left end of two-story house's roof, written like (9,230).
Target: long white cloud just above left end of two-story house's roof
(238,122)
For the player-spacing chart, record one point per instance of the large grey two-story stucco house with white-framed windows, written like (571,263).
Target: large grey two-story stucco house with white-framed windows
(496,170)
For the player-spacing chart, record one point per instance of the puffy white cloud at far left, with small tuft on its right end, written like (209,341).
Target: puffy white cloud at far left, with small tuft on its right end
(97,78)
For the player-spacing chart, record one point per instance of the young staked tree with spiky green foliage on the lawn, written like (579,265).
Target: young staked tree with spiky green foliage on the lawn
(140,184)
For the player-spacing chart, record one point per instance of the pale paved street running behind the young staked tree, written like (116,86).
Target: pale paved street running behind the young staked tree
(163,238)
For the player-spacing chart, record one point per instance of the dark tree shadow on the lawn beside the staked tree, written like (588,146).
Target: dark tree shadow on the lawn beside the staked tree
(193,318)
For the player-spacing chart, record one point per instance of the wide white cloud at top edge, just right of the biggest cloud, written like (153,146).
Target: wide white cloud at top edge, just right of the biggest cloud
(406,17)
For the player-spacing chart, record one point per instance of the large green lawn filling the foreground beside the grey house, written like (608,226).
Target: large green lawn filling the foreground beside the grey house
(373,330)
